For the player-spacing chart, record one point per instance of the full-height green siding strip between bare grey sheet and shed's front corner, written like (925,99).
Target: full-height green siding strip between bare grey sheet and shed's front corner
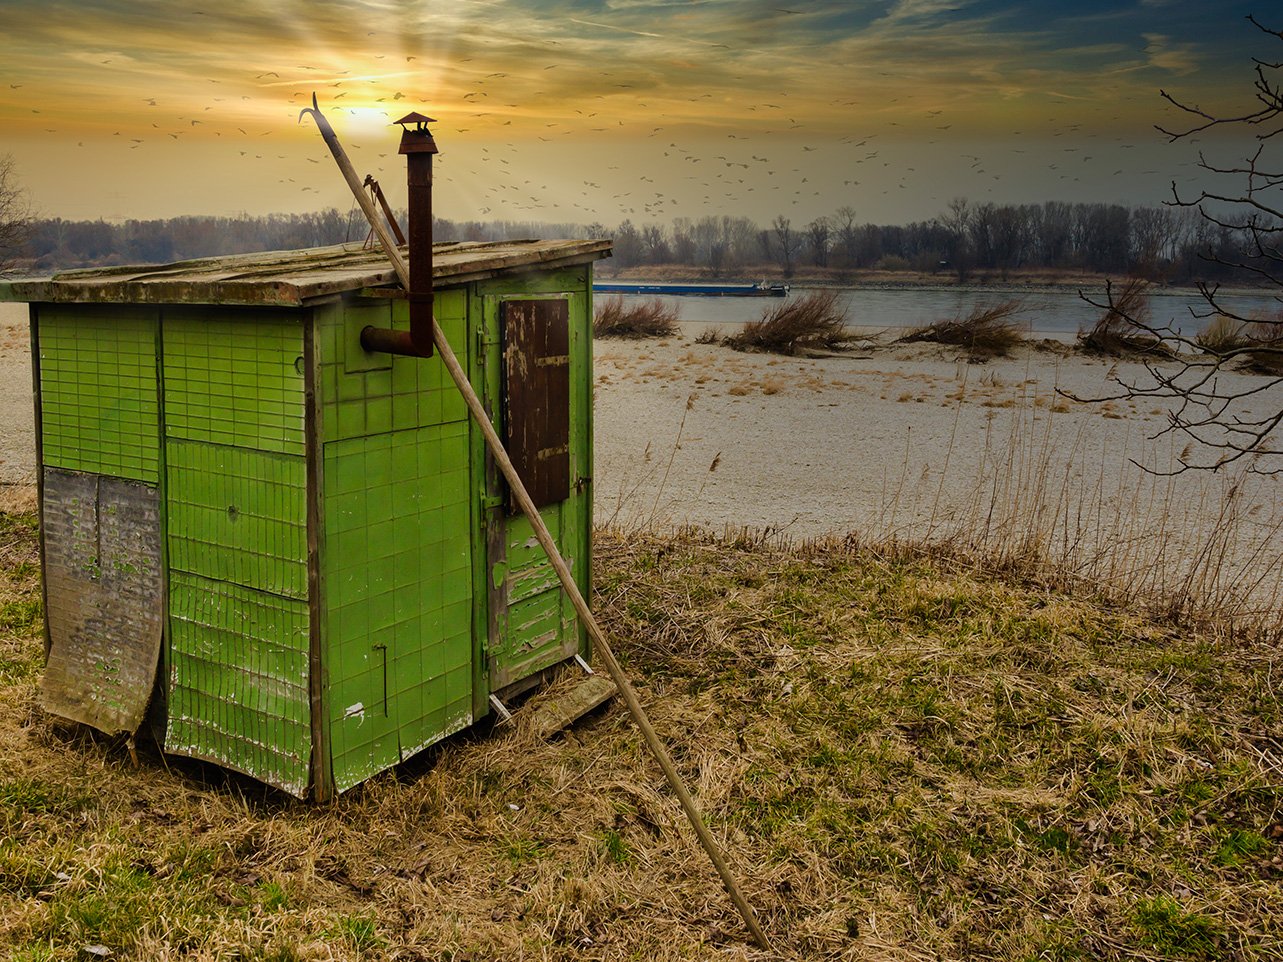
(237,505)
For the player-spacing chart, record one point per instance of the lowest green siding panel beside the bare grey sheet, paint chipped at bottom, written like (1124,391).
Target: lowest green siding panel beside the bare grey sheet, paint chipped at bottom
(238,680)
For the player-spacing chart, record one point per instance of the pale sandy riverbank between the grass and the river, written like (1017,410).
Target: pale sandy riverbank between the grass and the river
(908,442)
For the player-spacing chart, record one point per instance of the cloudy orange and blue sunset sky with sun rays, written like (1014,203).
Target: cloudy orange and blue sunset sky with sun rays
(599,111)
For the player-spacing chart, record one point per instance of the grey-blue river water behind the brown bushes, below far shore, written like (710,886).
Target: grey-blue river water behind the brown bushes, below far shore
(1050,315)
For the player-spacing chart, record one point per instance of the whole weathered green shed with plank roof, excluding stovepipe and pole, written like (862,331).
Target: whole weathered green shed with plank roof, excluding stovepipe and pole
(289,555)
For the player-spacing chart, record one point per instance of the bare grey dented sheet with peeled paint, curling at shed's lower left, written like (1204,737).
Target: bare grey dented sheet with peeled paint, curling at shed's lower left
(106,610)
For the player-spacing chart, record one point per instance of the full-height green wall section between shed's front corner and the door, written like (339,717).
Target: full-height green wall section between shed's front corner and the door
(397,548)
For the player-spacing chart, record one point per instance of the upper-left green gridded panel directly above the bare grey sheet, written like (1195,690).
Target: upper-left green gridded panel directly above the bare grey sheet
(98,387)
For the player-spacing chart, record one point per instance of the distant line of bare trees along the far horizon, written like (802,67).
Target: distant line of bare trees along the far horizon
(964,240)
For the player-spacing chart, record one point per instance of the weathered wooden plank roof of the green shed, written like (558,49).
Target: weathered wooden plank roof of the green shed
(294,278)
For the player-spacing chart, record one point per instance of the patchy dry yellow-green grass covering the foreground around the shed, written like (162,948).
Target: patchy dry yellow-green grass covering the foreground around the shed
(905,755)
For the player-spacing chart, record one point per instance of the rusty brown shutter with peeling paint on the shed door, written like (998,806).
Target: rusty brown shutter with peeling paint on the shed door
(537,382)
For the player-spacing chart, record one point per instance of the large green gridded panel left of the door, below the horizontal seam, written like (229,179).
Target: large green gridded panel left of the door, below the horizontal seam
(397,571)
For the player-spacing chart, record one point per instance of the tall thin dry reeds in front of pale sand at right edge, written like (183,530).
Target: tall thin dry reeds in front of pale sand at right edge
(1042,501)
